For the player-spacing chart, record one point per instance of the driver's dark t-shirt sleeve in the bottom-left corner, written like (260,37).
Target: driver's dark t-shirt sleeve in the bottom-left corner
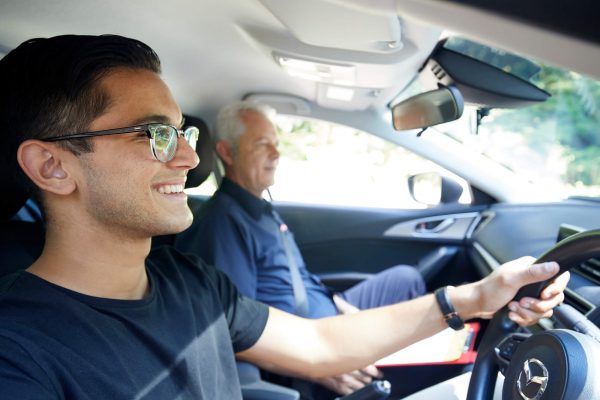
(20,377)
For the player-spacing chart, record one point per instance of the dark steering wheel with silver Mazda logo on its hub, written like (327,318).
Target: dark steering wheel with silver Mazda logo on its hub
(558,362)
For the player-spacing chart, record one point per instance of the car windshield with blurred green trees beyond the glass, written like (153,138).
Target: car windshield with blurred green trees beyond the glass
(555,143)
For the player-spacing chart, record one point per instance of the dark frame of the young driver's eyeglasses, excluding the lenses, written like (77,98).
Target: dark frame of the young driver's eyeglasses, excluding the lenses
(184,133)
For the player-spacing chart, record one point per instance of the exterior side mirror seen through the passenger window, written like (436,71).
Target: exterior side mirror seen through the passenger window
(432,189)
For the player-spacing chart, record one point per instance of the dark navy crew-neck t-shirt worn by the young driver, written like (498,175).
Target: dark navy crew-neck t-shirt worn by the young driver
(176,343)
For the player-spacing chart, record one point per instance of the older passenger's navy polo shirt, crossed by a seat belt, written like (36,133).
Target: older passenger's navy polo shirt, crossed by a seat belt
(239,234)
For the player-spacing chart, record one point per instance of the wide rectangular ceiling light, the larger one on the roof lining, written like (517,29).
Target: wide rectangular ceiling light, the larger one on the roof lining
(337,74)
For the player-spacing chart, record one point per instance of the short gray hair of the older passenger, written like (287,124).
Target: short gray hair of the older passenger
(229,125)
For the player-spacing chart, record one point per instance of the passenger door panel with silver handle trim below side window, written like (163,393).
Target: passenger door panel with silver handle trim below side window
(345,239)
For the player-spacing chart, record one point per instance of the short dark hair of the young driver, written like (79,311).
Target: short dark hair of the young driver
(49,87)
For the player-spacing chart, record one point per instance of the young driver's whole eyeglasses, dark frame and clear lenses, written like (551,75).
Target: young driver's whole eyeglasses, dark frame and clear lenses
(163,138)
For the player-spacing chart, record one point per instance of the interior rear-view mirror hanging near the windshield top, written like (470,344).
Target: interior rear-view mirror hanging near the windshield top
(428,109)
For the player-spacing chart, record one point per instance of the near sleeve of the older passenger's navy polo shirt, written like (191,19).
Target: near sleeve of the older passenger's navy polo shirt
(226,244)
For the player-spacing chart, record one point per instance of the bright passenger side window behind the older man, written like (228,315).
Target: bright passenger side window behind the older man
(325,163)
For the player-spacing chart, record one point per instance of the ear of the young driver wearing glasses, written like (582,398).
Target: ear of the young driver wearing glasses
(45,164)
